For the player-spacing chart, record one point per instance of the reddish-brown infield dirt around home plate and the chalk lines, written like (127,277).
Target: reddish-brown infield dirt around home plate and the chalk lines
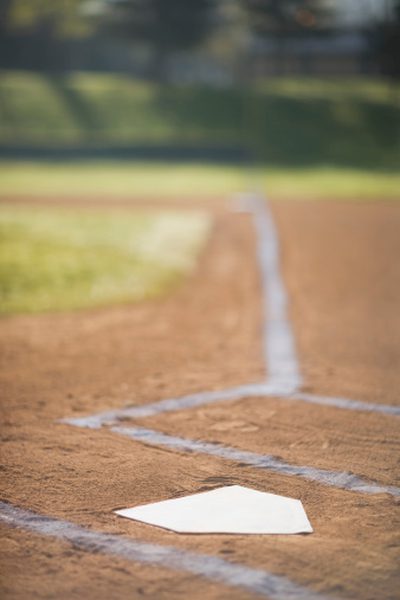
(339,262)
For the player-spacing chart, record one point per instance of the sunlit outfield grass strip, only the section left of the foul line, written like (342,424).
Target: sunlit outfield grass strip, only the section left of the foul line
(116,179)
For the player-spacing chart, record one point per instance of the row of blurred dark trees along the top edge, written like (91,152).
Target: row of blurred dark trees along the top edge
(169,26)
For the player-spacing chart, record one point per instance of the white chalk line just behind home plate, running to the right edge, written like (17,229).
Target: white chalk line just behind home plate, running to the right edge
(338,479)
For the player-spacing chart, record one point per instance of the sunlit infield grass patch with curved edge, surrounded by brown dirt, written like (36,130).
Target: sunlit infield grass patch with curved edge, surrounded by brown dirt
(62,259)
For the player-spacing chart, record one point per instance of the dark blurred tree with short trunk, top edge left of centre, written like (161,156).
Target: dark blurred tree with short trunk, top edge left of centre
(164,25)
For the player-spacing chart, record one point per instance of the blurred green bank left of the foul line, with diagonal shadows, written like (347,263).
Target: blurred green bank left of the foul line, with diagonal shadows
(43,110)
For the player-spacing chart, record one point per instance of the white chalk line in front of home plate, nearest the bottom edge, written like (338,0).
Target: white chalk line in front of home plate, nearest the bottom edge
(257,581)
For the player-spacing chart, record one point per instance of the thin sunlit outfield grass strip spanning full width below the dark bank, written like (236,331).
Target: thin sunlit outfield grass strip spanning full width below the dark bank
(108,179)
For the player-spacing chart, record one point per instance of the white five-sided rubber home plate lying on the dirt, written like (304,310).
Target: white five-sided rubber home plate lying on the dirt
(231,509)
